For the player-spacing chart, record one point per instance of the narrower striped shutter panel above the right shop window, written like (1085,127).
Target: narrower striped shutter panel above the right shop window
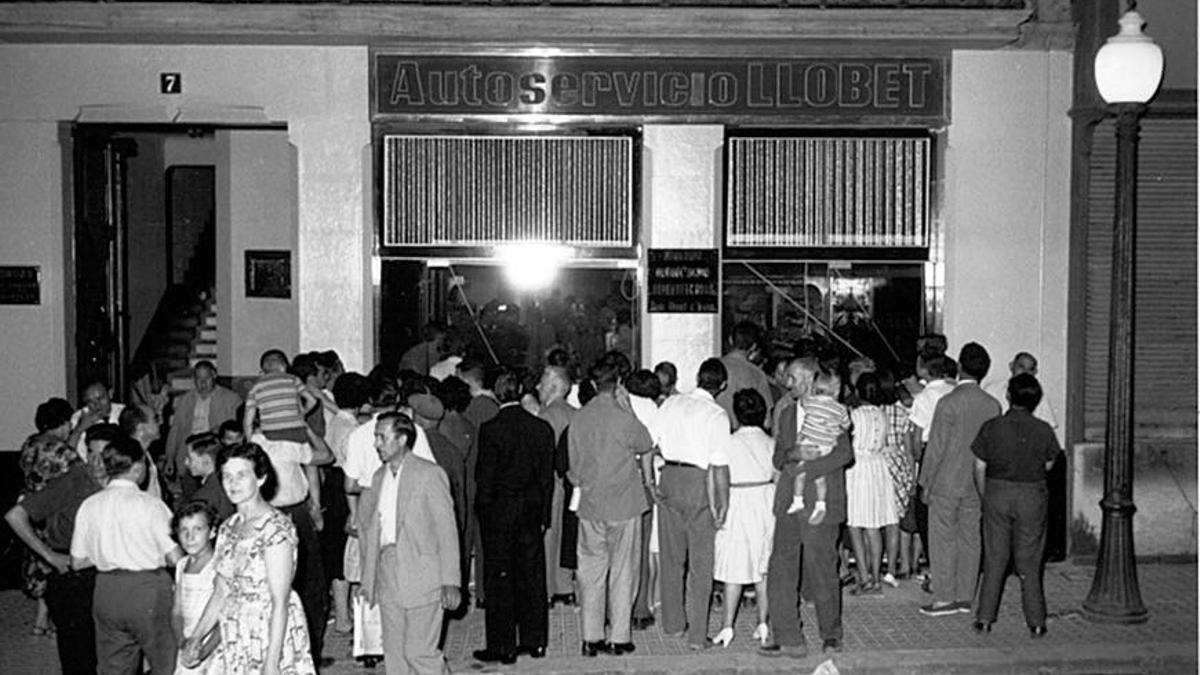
(853,192)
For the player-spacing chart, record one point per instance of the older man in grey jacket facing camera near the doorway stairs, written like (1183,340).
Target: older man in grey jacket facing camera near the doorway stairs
(199,411)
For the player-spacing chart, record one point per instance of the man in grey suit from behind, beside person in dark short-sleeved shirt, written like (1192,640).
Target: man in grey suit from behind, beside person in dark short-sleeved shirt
(947,480)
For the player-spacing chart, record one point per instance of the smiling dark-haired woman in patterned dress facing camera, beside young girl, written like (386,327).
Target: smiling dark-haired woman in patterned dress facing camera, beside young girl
(263,629)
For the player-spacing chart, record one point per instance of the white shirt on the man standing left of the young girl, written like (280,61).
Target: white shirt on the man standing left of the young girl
(122,528)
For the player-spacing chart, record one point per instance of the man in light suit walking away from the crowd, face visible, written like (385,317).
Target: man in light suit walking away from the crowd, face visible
(410,549)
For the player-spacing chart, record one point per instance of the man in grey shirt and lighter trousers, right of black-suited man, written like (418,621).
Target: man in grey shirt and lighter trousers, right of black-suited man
(607,444)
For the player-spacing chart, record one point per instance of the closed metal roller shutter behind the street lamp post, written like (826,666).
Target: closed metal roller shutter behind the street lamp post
(1166,339)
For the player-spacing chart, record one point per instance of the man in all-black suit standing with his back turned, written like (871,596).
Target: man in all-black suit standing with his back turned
(514,477)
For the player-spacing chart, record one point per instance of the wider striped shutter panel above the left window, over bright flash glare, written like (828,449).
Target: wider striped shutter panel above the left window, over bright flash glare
(472,192)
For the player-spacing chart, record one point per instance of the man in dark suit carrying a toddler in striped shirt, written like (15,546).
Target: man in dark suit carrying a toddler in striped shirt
(796,539)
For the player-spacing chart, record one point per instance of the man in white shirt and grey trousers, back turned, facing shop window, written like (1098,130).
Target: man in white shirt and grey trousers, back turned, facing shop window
(694,434)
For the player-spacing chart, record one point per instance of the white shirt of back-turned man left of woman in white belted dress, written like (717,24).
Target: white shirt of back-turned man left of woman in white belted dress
(694,429)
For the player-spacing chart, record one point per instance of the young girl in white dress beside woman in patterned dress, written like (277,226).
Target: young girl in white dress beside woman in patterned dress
(196,527)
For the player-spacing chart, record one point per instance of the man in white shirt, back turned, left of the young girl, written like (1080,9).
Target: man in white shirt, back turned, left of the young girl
(125,534)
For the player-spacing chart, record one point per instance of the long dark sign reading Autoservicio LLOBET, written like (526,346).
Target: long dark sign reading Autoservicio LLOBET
(407,85)
